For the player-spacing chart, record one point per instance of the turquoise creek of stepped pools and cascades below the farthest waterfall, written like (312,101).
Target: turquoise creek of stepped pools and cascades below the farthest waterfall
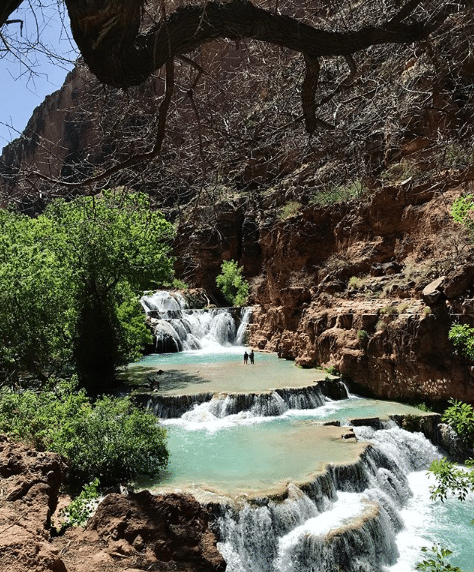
(287,492)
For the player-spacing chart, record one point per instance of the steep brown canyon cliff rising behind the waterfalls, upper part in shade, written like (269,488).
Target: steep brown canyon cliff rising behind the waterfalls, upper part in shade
(338,233)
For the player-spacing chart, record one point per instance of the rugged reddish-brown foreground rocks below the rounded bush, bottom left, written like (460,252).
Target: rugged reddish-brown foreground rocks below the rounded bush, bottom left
(135,532)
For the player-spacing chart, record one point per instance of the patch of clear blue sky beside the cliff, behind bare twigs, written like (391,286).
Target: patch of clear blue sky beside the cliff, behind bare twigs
(26,78)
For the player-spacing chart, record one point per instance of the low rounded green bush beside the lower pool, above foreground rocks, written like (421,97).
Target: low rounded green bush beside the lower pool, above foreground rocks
(111,439)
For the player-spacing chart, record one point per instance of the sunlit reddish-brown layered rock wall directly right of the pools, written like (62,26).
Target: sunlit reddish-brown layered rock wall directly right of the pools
(371,288)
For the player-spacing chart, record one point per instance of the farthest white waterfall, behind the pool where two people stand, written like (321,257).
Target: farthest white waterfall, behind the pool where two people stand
(177,328)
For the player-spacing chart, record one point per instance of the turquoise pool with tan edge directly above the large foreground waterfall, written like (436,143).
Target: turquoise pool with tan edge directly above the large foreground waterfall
(243,454)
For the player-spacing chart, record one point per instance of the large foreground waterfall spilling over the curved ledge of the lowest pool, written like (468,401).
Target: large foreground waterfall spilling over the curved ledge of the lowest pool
(345,519)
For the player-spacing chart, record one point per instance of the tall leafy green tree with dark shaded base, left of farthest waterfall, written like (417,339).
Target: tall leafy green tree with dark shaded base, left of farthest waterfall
(70,280)
